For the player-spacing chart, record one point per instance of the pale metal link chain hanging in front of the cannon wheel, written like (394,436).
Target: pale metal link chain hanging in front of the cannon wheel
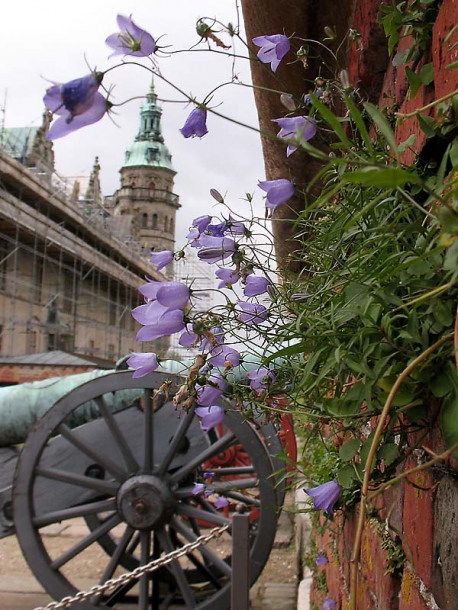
(66,602)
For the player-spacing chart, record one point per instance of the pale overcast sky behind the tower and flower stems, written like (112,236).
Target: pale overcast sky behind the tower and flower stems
(53,40)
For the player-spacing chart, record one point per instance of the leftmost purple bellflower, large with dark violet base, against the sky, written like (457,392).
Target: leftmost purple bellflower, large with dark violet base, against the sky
(77,103)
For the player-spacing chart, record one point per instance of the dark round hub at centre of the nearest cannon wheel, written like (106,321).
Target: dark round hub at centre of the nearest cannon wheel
(145,502)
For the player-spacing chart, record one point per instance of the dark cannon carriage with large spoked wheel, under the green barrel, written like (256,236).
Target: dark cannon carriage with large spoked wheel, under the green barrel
(115,453)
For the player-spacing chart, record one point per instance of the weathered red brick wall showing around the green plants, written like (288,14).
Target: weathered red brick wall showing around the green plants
(423,511)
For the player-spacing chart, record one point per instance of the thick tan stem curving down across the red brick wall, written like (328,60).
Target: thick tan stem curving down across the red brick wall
(370,459)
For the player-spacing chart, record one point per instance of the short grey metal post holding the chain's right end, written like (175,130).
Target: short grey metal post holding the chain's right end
(240,590)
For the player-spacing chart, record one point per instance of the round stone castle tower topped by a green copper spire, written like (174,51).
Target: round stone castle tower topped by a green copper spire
(146,193)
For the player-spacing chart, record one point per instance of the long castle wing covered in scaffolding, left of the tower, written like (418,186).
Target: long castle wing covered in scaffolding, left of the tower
(69,273)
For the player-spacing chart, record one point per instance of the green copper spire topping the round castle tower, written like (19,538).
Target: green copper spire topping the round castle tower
(148,147)
